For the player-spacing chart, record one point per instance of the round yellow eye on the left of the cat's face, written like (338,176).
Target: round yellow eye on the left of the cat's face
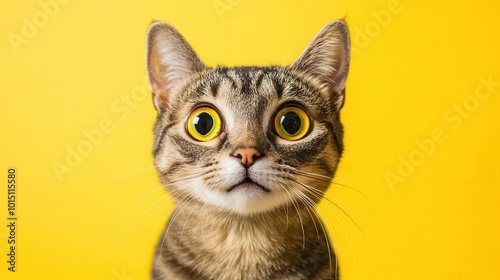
(204,124)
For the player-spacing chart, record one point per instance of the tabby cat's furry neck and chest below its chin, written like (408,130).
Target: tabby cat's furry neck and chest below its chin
(253,246)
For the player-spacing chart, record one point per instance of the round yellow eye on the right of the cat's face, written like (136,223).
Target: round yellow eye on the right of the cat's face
(291,123)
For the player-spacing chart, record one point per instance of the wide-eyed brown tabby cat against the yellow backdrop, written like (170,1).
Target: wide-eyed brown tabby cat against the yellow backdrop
(246,153)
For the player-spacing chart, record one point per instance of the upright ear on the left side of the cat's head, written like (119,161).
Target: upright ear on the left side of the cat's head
(170,60)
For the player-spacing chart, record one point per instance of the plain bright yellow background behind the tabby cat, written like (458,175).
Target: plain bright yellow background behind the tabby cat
(80,68)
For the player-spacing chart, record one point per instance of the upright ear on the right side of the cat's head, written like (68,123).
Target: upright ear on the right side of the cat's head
(326,60)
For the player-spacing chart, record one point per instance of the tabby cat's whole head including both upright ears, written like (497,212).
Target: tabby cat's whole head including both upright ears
(248,139)
